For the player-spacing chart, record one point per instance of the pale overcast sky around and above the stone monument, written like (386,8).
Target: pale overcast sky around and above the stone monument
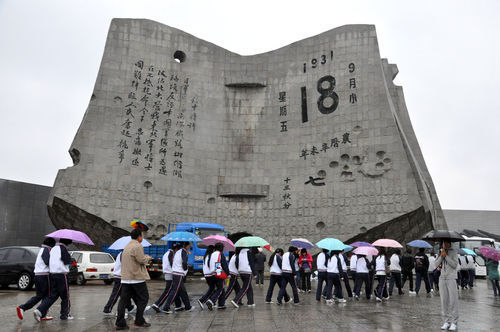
(448,54)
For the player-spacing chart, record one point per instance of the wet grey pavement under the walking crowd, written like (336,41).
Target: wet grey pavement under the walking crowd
(479,311)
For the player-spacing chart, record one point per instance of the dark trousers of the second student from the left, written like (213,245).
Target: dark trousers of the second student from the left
(59,288)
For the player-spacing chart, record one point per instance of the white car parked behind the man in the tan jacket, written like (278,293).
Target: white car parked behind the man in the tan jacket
(94,265)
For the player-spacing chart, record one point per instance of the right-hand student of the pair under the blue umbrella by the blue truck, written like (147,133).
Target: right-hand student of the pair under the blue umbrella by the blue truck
(179,272)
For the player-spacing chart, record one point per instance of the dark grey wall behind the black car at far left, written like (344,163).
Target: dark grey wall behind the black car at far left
(23,213)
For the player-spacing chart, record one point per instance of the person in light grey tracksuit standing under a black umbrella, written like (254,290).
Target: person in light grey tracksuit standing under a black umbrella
(448,293)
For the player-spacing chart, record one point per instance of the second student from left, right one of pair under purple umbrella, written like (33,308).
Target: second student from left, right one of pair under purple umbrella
(59,262)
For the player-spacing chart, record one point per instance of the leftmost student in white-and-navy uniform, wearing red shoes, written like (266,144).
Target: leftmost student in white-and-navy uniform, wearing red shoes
(42,279)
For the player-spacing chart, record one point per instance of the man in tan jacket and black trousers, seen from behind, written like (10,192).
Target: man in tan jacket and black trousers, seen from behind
(134,276)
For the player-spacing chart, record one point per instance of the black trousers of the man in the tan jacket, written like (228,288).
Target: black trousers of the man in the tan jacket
(138,293)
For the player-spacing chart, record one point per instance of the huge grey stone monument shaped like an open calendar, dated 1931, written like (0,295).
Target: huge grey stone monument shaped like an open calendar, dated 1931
(310,140)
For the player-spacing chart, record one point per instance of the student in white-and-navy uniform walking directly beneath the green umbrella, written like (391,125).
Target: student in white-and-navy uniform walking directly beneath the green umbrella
(245,264)
